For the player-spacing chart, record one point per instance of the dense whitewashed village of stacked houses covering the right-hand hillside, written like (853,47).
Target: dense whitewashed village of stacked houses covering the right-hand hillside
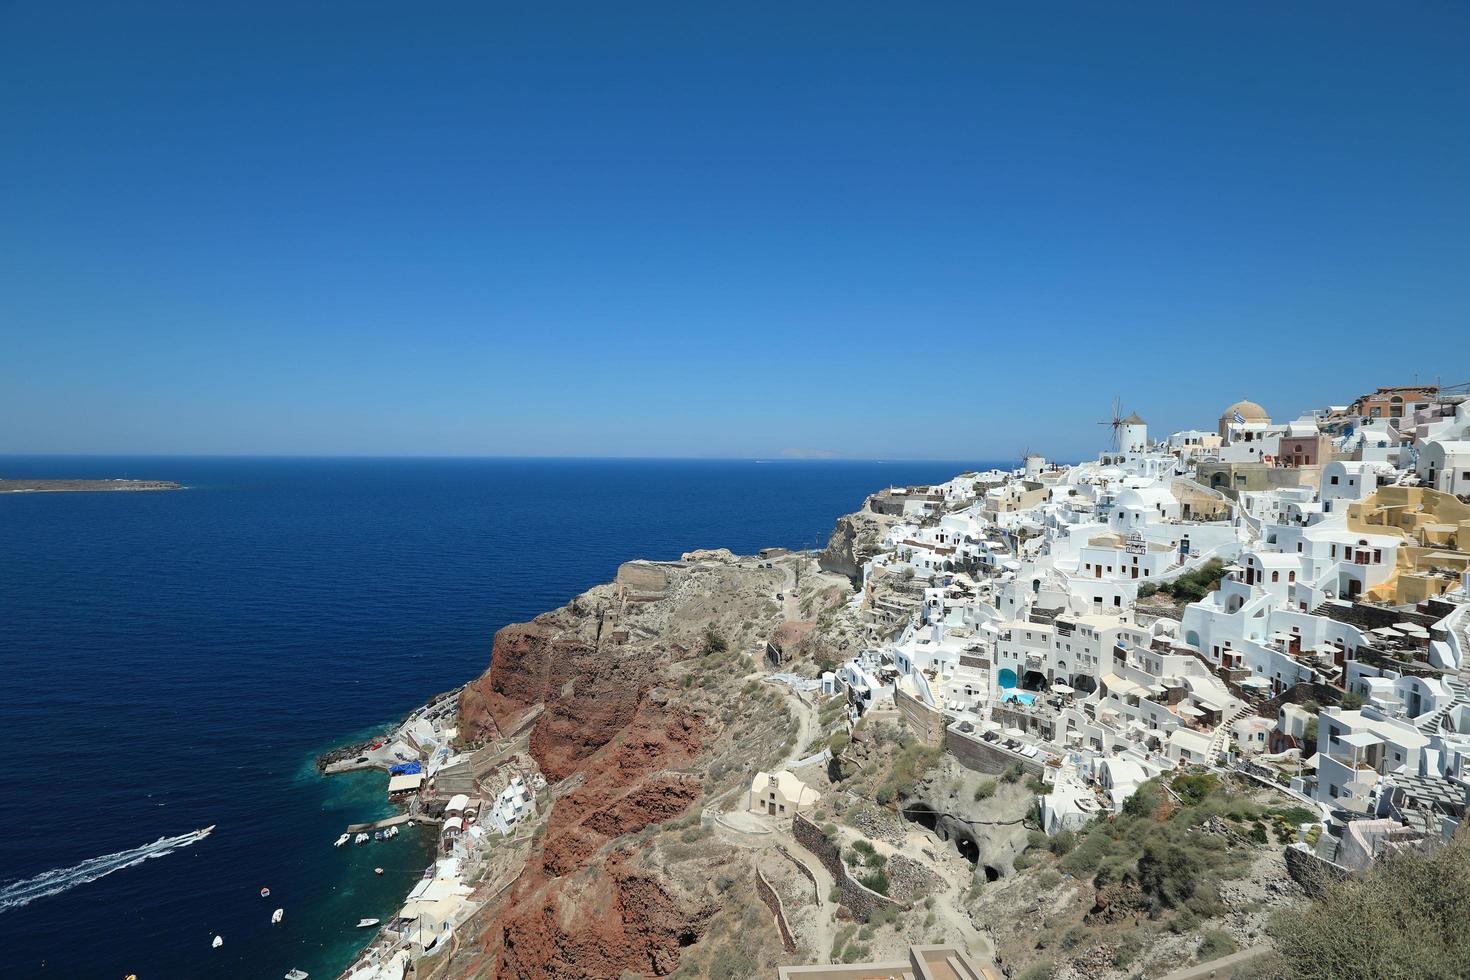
(1025,618)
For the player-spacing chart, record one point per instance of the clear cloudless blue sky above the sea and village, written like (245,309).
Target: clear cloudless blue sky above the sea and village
(943,230)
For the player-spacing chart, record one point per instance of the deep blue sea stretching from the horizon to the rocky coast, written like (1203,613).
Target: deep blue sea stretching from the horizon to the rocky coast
(176,660)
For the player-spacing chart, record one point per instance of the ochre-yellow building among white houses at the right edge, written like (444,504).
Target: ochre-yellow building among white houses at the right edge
(1437,541)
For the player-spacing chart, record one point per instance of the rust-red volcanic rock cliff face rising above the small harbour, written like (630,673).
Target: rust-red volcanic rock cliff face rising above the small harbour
(608,725)
